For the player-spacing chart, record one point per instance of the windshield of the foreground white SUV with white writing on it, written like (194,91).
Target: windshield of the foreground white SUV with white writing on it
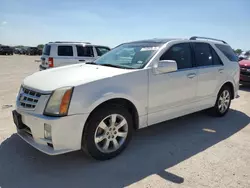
(130,55)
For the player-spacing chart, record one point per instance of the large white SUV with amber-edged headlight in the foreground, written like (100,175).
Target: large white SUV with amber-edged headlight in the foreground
(96,106)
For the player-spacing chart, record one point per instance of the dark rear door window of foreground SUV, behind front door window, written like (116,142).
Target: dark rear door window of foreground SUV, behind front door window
(203,54)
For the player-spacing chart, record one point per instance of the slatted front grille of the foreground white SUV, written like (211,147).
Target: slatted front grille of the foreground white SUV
(28,98)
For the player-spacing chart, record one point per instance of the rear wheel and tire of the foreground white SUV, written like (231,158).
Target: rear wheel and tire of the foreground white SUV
(218,110)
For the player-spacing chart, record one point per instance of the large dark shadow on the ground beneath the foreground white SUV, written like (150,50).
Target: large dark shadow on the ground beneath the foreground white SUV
(152,150)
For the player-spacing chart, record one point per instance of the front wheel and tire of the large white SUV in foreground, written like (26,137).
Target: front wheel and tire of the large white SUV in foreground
(96,148)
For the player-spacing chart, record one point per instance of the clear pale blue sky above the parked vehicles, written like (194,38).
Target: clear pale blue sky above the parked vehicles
(33,22)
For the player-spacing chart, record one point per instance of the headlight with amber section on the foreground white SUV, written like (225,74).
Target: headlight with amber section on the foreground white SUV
(59,101)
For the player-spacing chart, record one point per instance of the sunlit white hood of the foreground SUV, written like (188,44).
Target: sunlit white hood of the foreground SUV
(73,75)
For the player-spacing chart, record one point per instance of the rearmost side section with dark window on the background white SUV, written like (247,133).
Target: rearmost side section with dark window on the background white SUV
(65,56)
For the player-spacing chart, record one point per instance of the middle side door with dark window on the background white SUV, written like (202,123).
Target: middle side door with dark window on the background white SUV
(84,54)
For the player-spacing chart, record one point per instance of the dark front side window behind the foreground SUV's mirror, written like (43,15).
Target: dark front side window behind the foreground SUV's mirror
(181,53)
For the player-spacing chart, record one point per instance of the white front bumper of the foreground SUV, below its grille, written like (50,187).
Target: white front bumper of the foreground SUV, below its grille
(66,132)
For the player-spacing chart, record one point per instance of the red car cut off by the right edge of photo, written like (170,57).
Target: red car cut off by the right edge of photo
(245,71)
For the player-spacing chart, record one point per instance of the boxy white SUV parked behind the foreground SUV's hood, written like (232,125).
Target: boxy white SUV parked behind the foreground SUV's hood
(56,54)
